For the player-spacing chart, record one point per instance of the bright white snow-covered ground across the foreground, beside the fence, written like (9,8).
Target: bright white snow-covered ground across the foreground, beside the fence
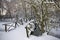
(20,34)
